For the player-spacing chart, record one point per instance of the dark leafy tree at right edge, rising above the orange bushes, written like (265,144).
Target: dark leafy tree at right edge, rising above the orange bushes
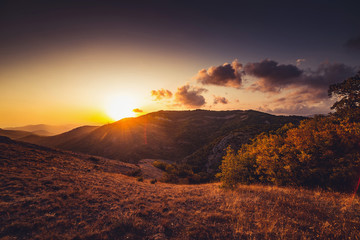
(349,93)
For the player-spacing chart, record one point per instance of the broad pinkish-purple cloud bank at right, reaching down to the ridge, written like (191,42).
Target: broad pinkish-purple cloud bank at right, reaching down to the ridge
(307,93)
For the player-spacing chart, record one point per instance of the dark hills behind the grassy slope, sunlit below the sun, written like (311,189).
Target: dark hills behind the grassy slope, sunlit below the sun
(195,137)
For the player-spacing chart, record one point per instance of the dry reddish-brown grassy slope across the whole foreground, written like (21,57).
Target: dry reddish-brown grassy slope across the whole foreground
(48,194)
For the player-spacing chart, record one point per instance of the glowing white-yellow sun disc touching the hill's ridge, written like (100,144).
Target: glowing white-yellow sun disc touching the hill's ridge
(119,107)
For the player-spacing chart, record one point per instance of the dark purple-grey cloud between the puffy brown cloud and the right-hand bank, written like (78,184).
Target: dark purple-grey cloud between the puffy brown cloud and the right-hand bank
(272,76)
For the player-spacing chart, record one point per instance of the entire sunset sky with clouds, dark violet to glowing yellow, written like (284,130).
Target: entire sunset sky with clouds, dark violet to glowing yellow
(94,62)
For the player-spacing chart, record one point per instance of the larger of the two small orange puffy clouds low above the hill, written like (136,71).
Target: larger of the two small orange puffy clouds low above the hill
(190,96)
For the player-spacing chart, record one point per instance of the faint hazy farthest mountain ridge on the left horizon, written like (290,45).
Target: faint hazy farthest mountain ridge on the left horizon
(44,129)
